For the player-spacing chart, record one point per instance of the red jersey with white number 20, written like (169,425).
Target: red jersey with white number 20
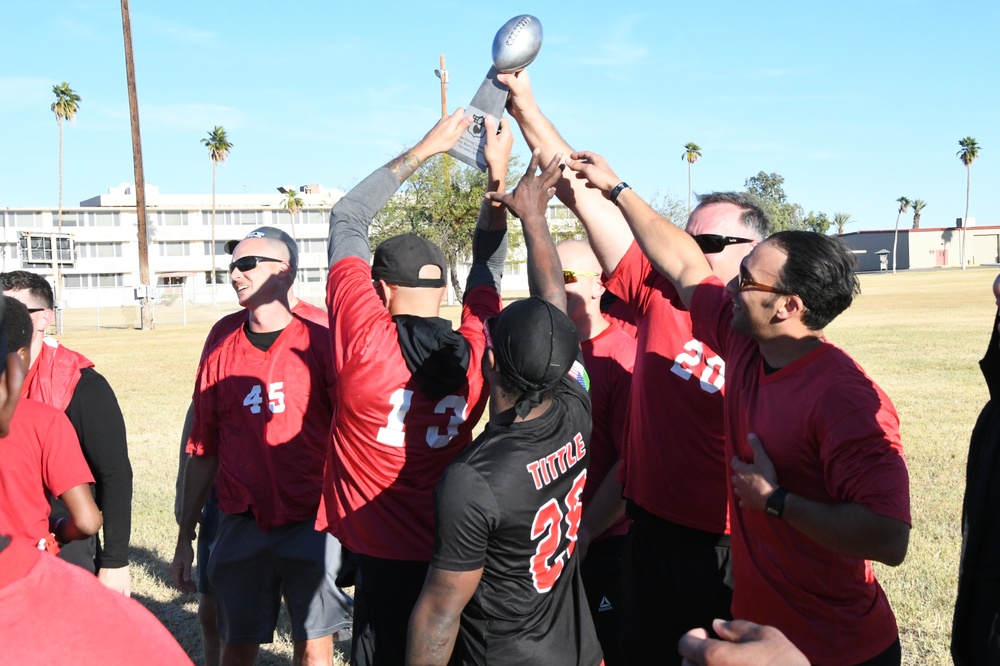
(674,464)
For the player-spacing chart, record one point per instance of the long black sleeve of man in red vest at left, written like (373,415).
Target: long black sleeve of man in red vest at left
(98,421)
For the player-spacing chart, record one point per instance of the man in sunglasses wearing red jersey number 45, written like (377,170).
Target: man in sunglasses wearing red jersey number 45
(261,418)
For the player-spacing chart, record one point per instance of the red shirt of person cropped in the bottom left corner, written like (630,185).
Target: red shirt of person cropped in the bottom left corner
(52,612)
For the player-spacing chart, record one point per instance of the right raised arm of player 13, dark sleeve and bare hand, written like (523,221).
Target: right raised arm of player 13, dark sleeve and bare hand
(489,240)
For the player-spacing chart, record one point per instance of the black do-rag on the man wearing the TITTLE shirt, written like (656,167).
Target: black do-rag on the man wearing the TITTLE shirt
(534,344)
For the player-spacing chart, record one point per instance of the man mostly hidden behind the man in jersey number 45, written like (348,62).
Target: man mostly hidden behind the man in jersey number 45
(207,617)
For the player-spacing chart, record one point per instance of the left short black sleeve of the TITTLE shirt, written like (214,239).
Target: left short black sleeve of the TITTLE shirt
(465,513)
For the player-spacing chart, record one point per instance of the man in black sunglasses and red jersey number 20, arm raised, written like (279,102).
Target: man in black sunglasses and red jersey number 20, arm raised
(676,566)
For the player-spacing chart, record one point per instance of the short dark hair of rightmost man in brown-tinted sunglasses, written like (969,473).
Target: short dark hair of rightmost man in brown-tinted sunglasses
(820,270)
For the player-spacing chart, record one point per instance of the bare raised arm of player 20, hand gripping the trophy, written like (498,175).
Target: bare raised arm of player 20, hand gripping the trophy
(609,235)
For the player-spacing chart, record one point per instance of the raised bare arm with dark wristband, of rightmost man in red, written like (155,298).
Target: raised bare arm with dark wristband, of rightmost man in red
(670,249)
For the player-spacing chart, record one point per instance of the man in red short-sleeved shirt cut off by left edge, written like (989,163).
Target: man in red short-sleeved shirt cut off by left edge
(40,457)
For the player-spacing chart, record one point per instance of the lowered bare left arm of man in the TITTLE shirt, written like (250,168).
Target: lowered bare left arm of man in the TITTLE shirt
(436,616)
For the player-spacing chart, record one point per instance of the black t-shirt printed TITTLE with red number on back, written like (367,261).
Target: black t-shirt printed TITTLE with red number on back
(511,505)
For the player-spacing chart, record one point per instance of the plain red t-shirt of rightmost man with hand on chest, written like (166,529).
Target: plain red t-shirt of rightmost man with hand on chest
(833,437)
